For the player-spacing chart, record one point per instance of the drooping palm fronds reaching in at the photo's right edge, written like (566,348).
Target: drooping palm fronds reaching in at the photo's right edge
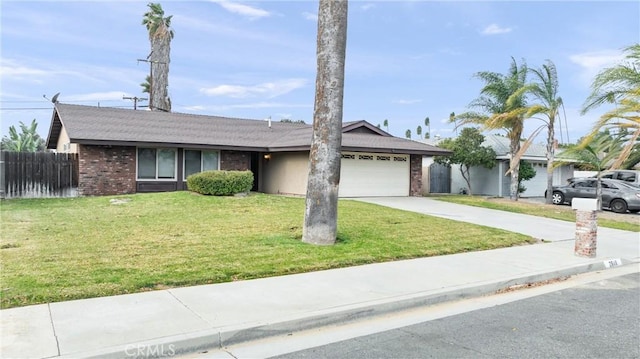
(618,85)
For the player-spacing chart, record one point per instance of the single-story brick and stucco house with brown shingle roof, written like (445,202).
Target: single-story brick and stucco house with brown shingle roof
(125,151)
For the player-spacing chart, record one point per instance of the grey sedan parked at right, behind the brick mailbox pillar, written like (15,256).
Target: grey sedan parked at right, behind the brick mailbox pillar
(616,195)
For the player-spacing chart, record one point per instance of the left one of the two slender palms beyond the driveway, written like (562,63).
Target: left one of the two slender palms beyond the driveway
(502,104)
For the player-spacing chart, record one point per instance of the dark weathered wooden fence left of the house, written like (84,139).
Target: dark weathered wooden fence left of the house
(38,174)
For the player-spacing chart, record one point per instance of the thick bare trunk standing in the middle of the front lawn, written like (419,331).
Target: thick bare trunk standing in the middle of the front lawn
(321,212)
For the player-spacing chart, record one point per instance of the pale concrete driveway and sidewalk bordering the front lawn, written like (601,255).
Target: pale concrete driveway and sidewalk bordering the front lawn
(187,319)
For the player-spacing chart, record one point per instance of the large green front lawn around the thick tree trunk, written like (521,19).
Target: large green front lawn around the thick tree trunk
(62,249)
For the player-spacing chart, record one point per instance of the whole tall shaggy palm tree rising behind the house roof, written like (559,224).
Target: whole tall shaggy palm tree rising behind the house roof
(160,35)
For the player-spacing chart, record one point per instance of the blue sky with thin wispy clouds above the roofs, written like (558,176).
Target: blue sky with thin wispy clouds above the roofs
(406,60)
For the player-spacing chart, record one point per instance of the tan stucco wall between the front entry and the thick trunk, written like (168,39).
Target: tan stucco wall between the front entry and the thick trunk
(286,173)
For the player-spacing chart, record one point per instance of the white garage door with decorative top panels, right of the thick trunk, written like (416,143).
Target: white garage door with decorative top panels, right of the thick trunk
(374,174)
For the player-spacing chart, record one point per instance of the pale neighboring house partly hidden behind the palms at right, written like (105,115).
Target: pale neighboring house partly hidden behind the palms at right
(494,182)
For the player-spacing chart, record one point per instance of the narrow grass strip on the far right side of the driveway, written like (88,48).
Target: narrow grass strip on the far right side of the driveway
(564,213)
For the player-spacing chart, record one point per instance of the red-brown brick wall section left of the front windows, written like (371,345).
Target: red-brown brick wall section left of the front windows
(106,170)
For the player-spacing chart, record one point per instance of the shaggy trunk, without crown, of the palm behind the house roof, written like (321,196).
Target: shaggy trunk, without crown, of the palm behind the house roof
(160,58)
